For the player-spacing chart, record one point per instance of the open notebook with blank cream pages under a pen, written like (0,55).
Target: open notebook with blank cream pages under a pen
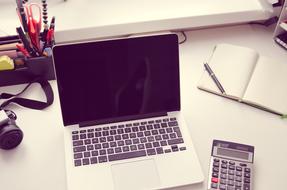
(248,78)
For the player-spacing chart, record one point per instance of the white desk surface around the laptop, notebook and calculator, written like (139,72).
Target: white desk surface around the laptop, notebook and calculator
(38,163)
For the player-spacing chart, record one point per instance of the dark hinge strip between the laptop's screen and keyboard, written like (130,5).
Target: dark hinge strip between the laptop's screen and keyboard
(123,118)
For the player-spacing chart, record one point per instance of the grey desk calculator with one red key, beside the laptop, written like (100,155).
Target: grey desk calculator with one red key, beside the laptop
(230,166)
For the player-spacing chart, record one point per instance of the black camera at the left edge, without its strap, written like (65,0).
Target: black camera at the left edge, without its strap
(10,134)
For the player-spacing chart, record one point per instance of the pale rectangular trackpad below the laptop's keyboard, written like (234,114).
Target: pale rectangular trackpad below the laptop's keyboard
(135,175)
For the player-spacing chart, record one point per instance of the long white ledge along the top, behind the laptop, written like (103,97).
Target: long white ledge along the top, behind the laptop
(113,17)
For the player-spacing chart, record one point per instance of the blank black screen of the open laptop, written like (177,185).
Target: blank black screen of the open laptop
(121,78)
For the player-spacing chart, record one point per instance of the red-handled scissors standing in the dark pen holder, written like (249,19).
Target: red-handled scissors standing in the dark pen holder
(34,20)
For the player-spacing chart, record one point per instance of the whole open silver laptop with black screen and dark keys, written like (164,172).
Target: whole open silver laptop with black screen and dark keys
(120,105)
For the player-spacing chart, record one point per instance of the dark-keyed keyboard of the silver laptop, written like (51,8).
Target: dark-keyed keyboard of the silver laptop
(118,142)
